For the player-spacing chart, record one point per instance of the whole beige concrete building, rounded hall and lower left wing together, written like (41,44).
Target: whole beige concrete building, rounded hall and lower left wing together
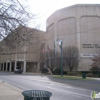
(77,25)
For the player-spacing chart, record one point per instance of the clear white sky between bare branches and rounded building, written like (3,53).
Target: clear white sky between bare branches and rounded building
(44,8)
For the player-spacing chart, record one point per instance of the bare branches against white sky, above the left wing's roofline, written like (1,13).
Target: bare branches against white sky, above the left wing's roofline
(12,14)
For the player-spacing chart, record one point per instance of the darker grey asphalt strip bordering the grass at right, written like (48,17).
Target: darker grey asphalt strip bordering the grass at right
(92,84)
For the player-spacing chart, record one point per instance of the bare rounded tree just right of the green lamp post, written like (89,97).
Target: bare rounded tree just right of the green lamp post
(71,56)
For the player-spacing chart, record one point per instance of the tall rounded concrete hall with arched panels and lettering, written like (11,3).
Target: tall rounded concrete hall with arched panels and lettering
(77,25)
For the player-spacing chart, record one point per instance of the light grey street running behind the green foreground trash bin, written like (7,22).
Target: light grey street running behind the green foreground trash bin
(58,90)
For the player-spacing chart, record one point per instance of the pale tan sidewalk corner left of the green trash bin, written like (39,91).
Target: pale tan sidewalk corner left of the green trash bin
(9,92)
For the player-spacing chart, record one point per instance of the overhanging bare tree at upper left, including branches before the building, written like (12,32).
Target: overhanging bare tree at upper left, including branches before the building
(13,21)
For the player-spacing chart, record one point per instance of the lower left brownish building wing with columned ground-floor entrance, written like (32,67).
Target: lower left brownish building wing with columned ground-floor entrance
(21,49)
